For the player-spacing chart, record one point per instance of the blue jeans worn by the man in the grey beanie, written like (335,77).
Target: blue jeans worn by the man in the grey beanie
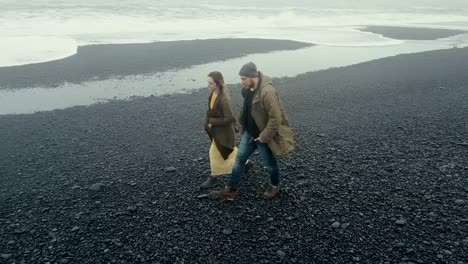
(246,148)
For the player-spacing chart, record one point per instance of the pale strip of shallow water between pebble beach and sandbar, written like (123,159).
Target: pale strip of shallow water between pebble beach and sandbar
(276,64)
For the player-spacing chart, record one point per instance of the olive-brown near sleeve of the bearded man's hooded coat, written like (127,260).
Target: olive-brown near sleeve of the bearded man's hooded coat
(273,110)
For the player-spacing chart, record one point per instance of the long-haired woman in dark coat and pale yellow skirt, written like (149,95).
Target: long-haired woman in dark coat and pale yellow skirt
(221,128)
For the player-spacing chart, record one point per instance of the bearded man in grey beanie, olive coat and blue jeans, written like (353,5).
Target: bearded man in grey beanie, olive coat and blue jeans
(265,127)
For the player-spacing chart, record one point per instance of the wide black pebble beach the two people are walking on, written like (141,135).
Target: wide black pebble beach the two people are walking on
(382,149)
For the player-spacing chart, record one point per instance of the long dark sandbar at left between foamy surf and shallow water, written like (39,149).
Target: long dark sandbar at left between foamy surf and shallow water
(104,61)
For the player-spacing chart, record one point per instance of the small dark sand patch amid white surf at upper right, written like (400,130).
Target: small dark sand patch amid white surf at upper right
(410,33)
